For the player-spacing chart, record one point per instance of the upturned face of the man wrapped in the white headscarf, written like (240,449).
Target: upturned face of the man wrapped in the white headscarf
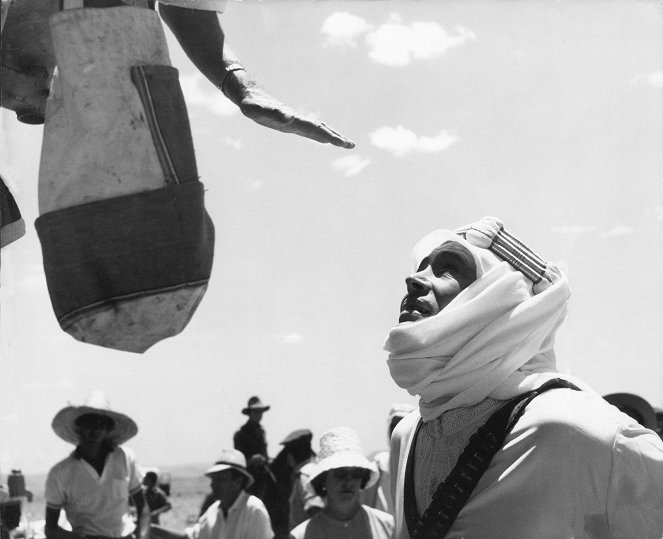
(440,277)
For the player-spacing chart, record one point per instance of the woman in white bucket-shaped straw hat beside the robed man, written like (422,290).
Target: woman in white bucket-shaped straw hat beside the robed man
(341,472)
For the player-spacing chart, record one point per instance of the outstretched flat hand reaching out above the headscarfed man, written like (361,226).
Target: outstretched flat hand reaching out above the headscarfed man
(256,104)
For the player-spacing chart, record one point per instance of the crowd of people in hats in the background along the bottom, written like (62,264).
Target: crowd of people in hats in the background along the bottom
(299,494)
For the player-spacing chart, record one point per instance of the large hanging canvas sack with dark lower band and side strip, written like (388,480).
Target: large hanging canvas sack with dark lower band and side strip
(127,244)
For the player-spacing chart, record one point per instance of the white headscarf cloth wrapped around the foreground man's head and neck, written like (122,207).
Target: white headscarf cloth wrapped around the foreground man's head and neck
(495,339)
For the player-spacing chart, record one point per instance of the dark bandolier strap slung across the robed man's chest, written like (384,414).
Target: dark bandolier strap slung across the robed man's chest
(452,494)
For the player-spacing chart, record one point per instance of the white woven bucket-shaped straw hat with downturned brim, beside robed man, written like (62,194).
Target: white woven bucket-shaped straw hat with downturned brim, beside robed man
(341,448)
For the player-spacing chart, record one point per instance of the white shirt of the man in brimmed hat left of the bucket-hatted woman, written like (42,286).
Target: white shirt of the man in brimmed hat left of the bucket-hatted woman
(247,519)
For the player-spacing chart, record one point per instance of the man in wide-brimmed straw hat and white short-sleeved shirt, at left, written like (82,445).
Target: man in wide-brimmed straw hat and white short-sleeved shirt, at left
(93,484)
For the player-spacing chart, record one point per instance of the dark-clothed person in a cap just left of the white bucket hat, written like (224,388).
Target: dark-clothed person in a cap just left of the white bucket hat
(296,453)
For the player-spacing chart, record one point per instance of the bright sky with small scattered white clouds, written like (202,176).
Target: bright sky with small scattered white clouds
(546,114)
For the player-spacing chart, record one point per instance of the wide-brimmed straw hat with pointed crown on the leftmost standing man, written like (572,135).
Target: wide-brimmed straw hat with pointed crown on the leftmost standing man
(64,421)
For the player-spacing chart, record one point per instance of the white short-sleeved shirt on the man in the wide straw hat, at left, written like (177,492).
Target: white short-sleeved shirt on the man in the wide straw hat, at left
(95,505)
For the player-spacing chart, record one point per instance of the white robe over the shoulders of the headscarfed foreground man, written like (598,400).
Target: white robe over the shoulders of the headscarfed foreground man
(573,466)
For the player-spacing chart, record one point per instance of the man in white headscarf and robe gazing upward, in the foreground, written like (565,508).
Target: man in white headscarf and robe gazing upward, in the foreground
(476,329)
